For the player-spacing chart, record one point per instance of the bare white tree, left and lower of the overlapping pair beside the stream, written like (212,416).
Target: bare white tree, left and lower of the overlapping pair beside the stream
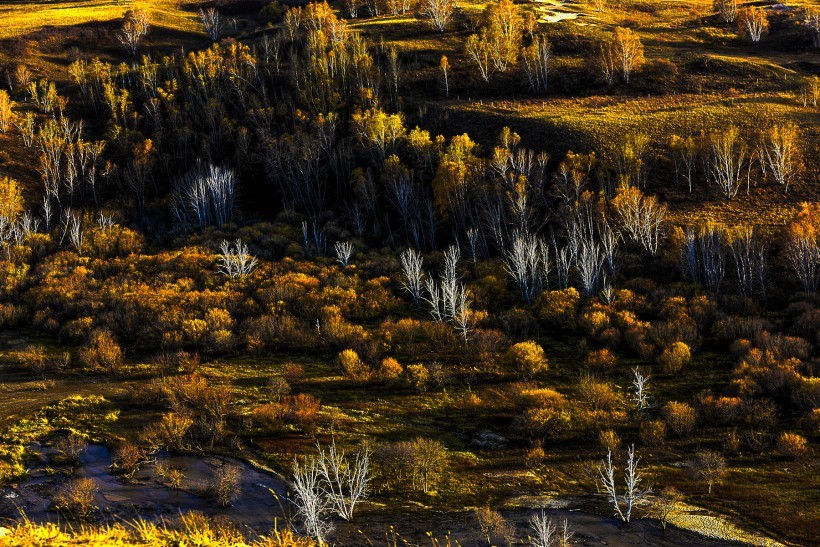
(313,507)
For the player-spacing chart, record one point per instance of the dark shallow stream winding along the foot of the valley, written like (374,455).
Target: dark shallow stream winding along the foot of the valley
(255,509)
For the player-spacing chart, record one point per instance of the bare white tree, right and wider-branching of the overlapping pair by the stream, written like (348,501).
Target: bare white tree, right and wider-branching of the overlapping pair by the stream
(346,481)
